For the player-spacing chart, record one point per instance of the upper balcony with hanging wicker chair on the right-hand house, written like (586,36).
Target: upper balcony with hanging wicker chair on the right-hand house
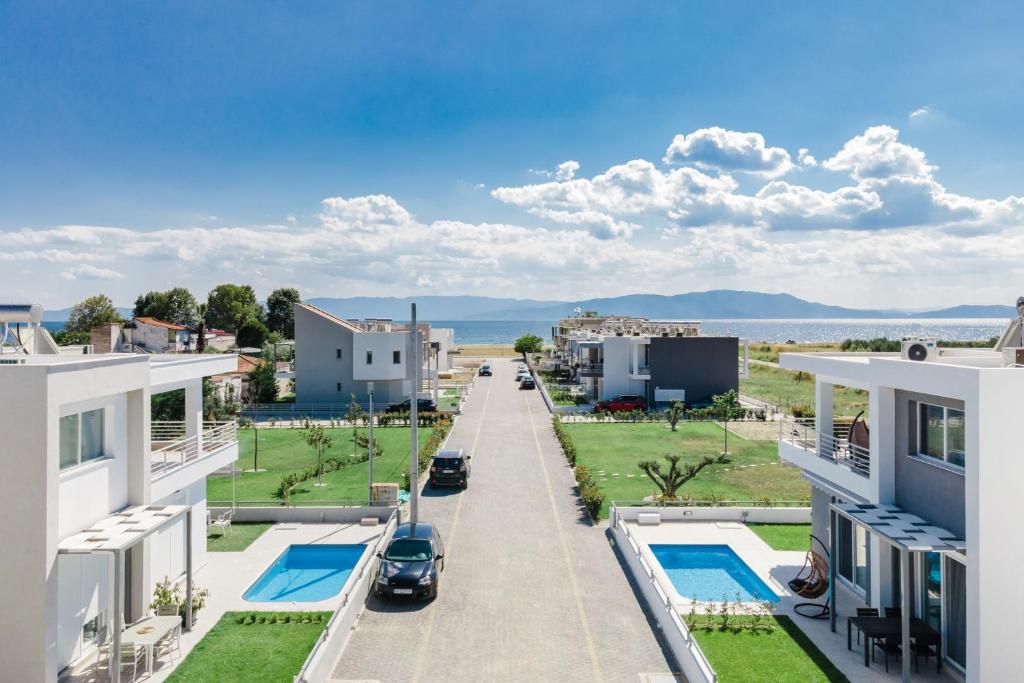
(826,456)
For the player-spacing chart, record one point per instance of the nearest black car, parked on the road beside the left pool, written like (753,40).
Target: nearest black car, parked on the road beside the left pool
(412,563)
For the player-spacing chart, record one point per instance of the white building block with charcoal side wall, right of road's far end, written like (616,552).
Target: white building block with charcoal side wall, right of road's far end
(662,361)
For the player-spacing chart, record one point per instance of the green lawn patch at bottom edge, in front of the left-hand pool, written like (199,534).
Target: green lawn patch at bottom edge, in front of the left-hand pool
(235,653)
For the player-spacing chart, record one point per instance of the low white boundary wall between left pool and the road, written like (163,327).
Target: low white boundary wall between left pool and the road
(332,642)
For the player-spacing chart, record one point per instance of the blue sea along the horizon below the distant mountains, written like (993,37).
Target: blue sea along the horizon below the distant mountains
(780,331)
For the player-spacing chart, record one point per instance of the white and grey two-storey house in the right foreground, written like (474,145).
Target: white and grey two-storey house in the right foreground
(917,504)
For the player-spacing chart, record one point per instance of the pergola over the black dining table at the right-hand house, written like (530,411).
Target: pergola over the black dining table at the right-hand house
(909,534)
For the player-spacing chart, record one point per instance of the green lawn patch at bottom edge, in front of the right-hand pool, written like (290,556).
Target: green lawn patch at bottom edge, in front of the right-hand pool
(784,656)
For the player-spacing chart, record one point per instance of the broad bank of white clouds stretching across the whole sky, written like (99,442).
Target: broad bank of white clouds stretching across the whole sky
(635,227)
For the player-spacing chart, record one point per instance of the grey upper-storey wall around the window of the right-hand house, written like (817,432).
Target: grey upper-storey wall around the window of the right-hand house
(923,488)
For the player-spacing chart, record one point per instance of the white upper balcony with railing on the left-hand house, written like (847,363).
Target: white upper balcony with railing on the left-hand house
(178,460)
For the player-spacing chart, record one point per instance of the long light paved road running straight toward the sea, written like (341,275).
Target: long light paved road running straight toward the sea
(530,591)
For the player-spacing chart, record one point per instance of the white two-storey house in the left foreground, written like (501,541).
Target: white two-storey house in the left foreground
(102,502)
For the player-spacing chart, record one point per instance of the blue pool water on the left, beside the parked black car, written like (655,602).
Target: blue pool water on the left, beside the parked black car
(307,574)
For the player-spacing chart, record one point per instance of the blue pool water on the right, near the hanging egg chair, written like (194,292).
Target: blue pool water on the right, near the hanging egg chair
(707,573)
